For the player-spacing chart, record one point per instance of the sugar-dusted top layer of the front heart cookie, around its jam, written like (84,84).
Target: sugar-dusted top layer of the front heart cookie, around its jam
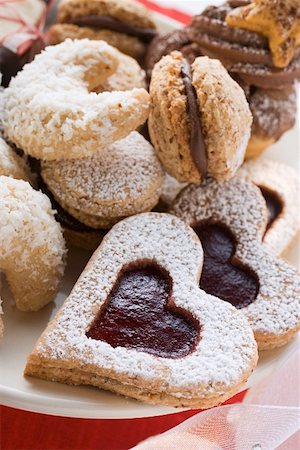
(226,351)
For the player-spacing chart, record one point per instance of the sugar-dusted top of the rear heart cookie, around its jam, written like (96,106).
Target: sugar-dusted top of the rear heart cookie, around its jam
(239,205)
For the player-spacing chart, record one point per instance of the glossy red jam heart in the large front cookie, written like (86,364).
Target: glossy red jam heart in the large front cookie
(139,313)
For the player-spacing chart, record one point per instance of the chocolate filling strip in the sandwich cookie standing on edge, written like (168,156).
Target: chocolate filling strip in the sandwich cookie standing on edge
(197,144)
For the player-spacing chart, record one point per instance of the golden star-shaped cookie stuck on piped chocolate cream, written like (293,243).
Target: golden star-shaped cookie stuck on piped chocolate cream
(278,20)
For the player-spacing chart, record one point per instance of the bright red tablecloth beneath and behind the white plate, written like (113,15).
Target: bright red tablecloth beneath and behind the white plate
(21,430)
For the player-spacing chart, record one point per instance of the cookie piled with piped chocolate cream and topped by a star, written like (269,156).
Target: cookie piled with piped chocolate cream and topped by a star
(239,37)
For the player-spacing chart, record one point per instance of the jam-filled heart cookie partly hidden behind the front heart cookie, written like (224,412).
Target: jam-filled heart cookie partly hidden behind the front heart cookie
(230,219)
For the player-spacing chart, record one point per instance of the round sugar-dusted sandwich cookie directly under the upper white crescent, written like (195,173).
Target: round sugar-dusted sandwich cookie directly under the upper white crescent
(125,178)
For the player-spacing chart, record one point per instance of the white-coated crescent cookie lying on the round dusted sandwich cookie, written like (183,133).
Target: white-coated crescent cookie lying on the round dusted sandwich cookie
(50,112)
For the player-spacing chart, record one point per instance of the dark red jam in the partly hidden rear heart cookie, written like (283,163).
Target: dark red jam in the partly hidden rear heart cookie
(221,275)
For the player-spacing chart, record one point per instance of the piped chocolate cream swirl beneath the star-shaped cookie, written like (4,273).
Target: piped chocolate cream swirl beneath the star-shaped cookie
(244,53)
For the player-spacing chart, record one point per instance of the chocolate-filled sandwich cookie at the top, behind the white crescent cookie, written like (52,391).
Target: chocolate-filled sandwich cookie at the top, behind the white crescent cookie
(125,24)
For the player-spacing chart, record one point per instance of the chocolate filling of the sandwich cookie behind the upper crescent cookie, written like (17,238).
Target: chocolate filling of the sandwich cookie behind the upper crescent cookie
(110,23)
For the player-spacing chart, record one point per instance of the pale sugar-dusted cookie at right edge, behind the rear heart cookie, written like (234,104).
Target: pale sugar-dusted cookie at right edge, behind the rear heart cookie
(280,187)
